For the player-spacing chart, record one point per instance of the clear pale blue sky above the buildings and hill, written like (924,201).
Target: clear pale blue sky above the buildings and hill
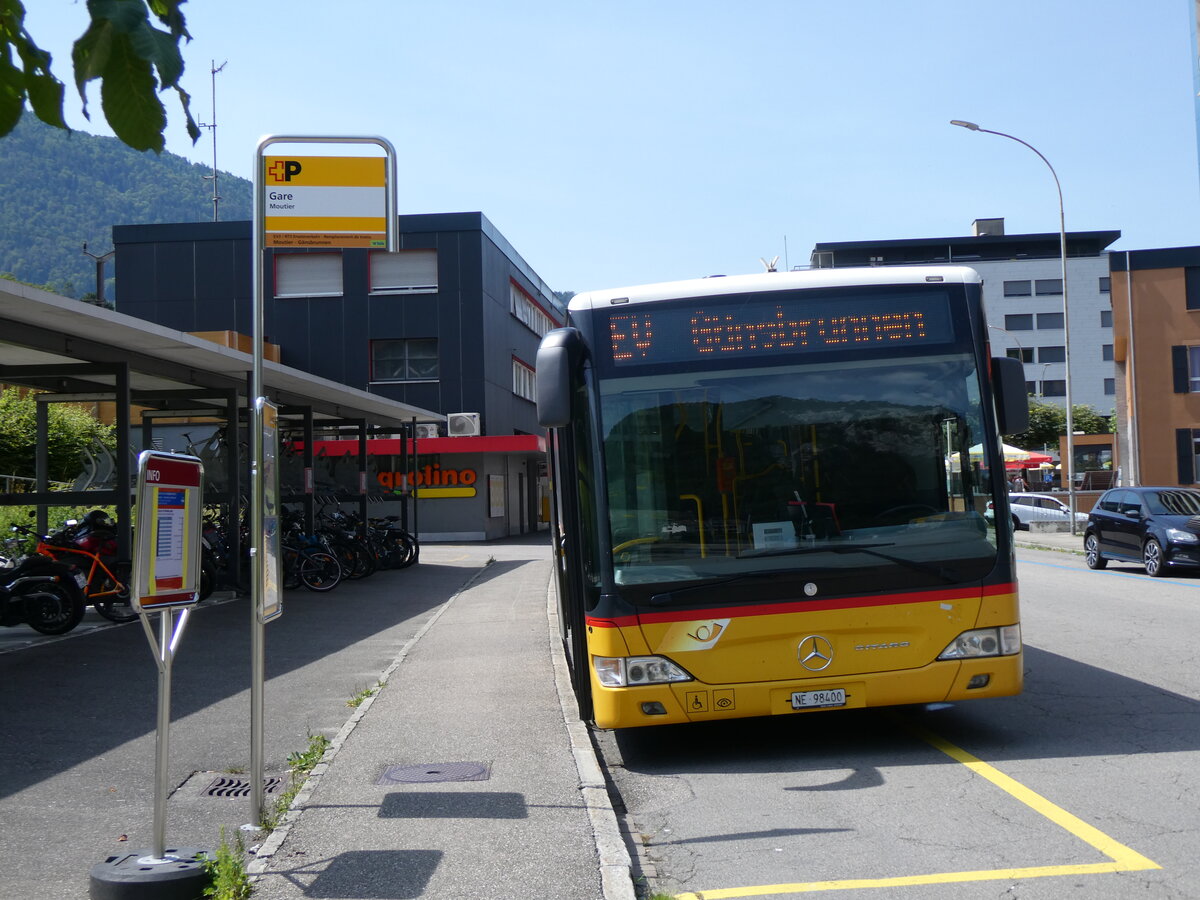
(640,141)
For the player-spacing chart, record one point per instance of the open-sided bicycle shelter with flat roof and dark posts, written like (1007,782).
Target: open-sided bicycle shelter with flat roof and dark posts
(79,353)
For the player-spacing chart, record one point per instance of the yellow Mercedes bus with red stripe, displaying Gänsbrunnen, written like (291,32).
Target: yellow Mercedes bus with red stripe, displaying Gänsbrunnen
(770,495)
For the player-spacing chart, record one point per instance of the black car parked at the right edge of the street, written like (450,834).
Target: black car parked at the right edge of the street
(1157,527)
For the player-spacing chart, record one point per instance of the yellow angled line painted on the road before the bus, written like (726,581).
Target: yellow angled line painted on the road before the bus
(1123,859)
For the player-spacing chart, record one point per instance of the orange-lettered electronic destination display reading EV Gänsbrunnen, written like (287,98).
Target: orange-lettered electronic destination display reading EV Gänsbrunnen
(737,327)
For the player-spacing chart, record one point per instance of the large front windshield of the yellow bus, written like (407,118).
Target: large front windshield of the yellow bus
(847,473)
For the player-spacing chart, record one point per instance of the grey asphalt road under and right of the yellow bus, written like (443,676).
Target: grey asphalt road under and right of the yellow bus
(1084,787)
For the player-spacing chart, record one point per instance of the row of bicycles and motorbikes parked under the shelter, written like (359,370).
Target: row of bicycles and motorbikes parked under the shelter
(49,580)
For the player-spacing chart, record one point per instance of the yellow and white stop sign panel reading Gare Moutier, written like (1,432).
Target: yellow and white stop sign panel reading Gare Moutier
(325,202)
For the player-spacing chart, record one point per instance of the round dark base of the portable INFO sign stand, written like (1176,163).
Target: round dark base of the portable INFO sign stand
(178,875)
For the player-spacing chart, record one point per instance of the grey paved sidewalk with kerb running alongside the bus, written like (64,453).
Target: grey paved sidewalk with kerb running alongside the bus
(467,776)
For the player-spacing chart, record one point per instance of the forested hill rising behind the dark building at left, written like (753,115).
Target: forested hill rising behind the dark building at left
(59,190)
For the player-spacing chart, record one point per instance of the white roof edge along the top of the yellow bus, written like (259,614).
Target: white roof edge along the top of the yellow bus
(718,285)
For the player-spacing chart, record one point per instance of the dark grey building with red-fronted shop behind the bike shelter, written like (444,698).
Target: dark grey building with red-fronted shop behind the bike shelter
(449,323)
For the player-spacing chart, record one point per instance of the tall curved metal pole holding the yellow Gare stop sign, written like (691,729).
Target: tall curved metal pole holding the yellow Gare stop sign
(260,490)
